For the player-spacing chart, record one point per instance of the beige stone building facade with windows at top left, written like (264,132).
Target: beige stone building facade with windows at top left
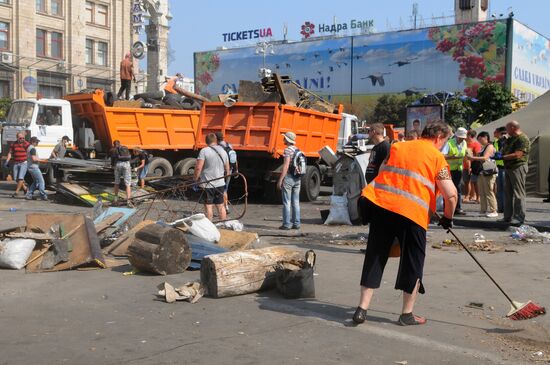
(49,48)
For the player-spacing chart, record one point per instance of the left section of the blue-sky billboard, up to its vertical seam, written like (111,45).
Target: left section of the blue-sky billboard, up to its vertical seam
(322,66)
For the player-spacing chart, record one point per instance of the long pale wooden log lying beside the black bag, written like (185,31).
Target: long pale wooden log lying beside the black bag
(243,272)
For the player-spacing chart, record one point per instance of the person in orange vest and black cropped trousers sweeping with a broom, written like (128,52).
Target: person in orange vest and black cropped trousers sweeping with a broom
(399,202)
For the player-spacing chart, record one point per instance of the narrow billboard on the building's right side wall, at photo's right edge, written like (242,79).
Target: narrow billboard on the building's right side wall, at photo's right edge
(530,71)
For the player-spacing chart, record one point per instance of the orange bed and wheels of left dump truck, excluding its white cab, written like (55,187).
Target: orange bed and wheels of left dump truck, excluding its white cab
(168,134)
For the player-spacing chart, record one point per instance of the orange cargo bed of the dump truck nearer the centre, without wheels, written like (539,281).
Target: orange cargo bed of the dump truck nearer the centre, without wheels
(259,126)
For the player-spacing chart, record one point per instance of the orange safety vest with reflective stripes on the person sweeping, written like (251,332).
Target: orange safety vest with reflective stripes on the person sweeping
(406,183)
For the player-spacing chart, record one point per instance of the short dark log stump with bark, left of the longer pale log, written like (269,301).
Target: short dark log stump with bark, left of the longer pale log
(159,250)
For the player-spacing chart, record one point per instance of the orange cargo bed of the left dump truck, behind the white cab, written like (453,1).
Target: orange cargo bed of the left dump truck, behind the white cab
(150,129)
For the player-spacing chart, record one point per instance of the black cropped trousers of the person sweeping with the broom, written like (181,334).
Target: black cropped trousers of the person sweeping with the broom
(385,227)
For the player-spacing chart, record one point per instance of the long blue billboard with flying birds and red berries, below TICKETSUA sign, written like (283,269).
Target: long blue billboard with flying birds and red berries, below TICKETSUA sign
(364,67)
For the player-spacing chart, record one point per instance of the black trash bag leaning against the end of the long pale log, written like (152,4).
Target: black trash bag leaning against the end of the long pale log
(293,284)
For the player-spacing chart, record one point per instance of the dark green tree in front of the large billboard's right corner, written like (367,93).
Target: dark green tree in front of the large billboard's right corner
(494,102)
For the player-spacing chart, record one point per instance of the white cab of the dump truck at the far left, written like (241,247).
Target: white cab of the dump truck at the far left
(47,119)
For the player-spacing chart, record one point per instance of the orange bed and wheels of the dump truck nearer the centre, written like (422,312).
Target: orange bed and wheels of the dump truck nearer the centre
(255,132)
